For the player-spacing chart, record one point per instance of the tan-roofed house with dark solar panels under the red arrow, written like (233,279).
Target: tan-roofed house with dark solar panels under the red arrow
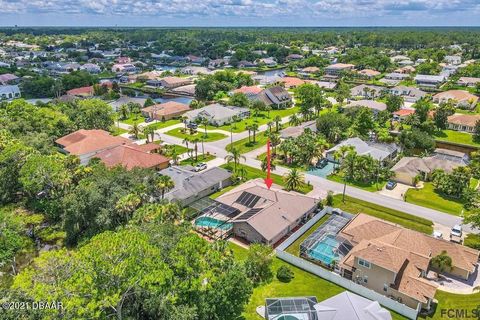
(266,215)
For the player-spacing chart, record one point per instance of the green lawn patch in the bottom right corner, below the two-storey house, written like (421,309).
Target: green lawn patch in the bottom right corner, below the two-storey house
(455,301)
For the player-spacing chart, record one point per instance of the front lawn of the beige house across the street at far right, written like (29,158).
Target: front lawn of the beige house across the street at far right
(427,197)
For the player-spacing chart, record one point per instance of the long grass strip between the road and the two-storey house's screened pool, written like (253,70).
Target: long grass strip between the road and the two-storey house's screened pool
(353,205)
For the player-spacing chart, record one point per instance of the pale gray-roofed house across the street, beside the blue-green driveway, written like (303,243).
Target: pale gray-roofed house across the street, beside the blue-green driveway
(379,151)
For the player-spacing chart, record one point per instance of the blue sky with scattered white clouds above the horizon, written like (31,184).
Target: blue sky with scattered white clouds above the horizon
(240,13)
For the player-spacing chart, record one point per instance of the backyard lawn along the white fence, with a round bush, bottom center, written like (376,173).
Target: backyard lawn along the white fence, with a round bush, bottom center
(303,284)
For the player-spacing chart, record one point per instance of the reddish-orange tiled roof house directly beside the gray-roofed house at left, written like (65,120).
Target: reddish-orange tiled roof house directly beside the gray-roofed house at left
(134,156)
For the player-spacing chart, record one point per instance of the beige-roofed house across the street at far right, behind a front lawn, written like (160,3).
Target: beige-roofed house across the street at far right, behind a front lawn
(408,168)
